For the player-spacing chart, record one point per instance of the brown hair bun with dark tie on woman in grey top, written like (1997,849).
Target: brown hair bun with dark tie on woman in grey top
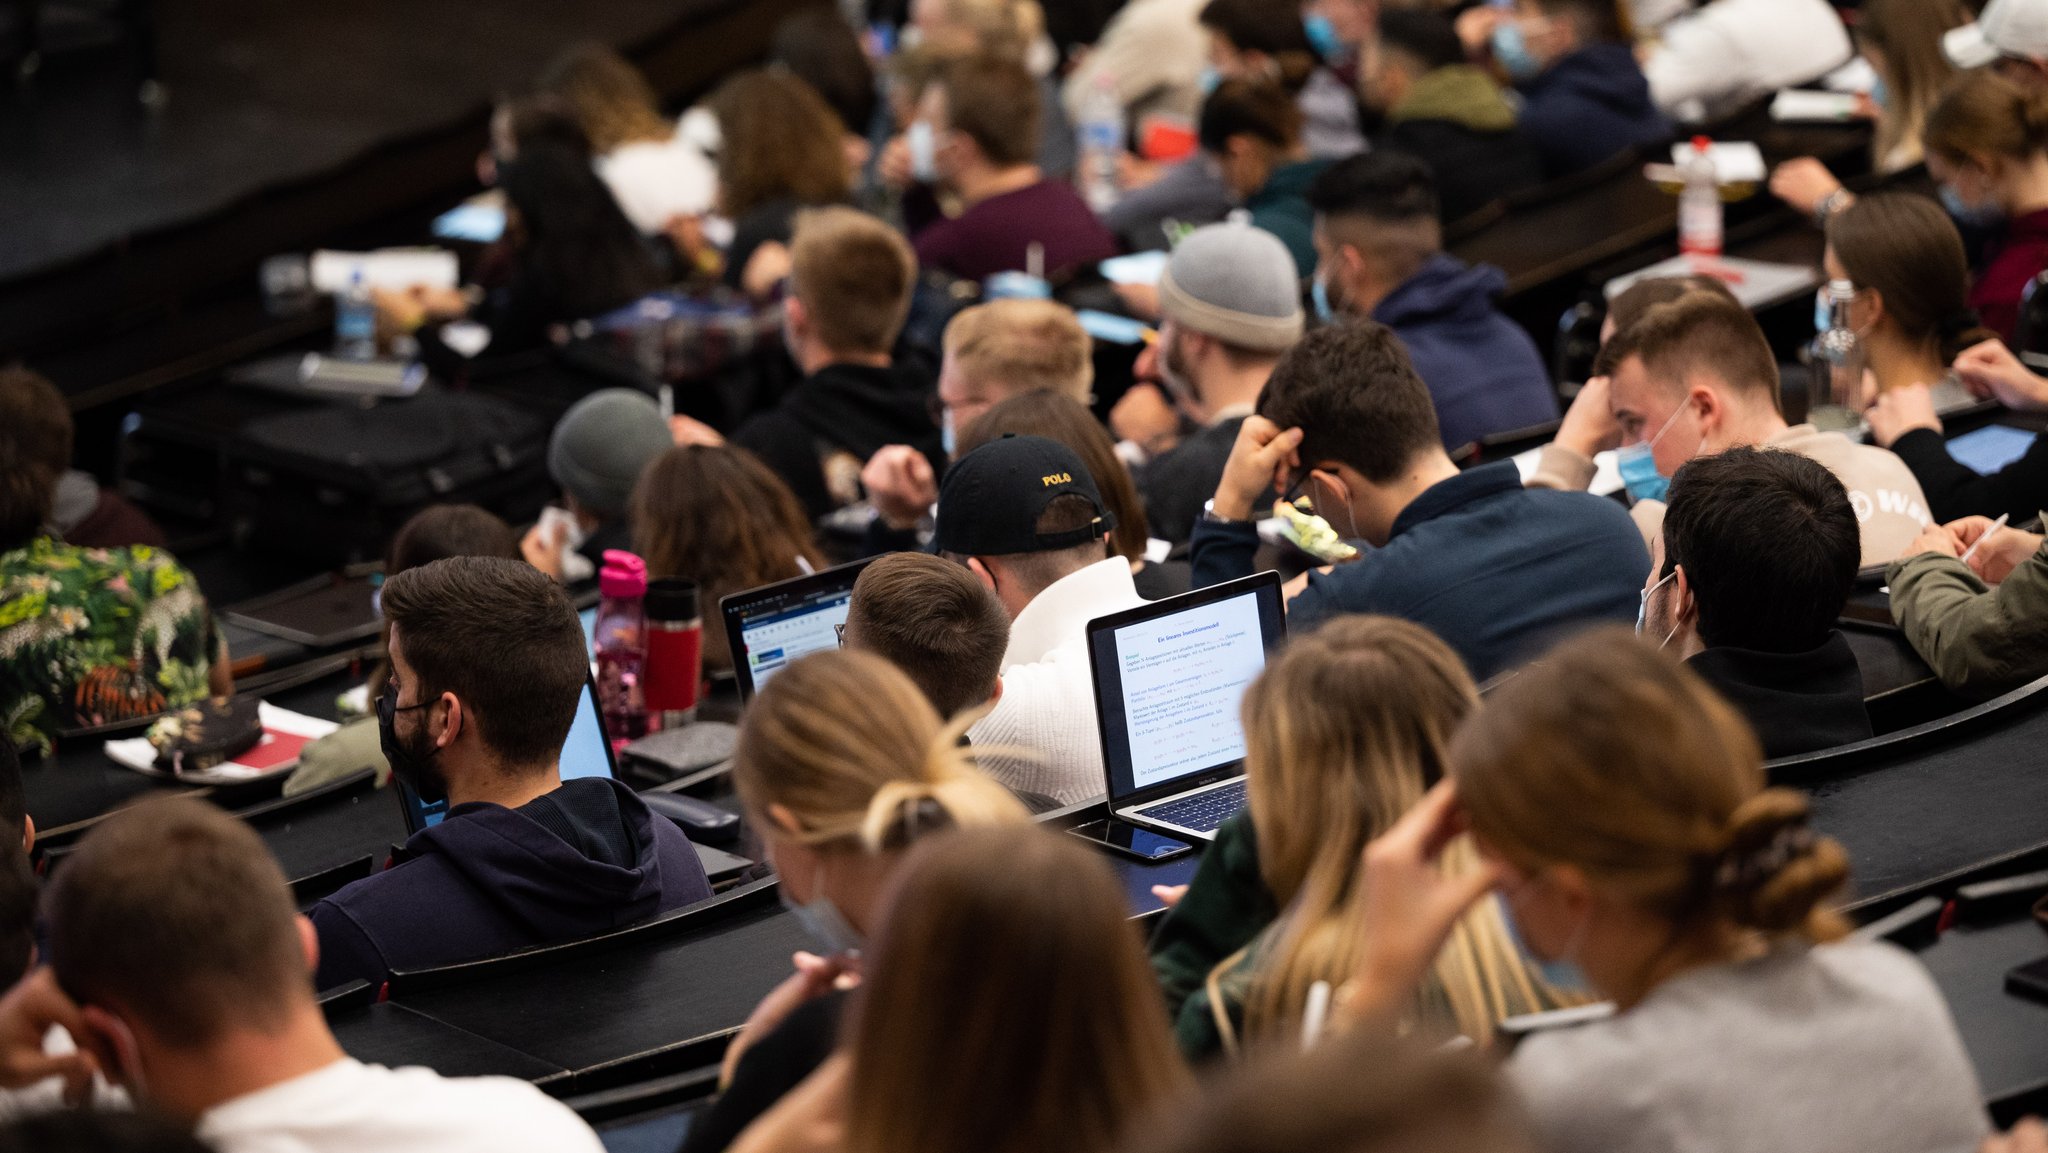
(1775,871)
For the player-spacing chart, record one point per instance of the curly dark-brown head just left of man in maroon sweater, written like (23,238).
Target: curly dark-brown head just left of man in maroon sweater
(779,142)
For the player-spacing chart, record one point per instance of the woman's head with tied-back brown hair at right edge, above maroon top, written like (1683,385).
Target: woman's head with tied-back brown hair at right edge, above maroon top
(1986,140)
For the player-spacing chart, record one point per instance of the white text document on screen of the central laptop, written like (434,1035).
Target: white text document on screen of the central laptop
(1183,681)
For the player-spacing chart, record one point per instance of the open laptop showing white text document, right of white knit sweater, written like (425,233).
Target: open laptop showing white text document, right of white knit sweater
(1168,687)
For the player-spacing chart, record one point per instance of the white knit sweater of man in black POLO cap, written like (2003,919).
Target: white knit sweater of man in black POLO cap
(1050,703)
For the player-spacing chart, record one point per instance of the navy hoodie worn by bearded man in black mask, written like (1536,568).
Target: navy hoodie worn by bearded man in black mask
(581,861)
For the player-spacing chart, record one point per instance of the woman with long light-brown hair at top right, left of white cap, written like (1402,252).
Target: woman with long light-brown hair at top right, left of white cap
(1902,40)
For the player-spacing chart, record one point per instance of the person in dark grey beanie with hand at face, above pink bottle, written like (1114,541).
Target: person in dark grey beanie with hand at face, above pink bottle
(595,456)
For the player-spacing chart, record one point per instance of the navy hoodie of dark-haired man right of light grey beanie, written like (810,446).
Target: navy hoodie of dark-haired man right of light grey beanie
(1484,372)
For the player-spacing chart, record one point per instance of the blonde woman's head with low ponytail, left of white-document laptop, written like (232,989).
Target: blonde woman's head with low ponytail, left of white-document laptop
(843,759)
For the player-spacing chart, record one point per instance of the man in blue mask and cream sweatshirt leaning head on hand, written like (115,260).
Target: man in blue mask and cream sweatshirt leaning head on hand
(1695,378)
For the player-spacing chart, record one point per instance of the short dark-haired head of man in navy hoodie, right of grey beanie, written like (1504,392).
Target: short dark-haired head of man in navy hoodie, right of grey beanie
(1375,226)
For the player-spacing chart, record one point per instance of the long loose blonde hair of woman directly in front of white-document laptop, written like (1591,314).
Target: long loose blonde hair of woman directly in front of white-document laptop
(1345,732)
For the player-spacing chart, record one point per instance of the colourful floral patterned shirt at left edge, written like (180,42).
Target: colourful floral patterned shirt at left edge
(97,636)
